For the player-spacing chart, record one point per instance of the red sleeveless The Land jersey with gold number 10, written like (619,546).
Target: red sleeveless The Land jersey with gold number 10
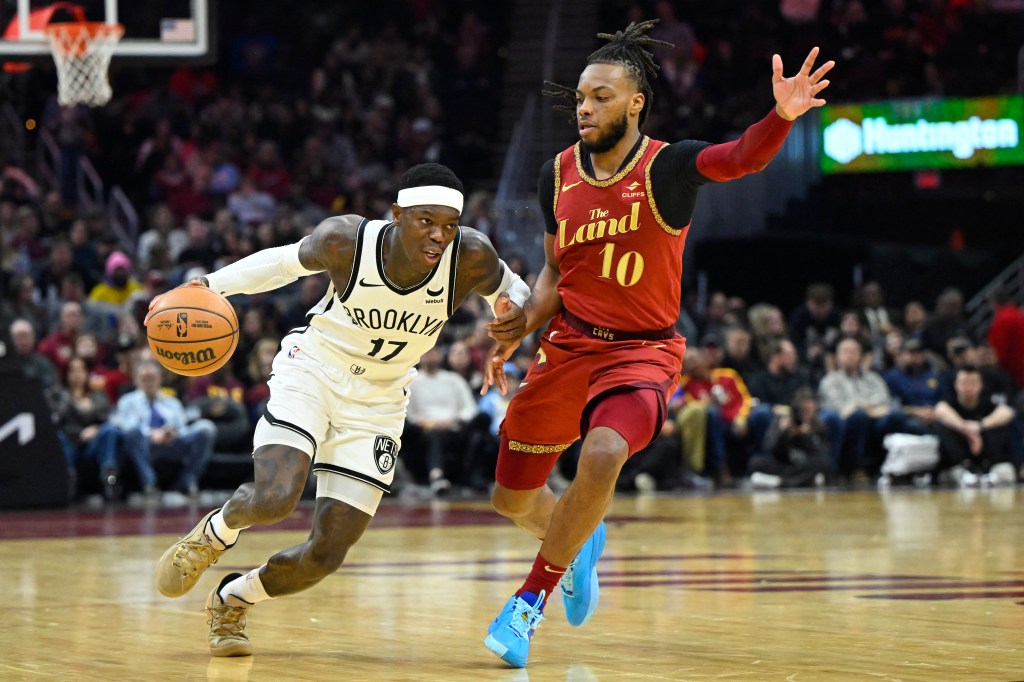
(621,263)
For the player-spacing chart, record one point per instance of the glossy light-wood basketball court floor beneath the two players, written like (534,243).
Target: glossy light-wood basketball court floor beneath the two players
(906,585)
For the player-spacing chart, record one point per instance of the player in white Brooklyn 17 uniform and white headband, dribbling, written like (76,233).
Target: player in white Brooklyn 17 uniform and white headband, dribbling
(339,387)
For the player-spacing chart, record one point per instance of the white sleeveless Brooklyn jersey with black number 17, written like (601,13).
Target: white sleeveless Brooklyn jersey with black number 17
(374,328)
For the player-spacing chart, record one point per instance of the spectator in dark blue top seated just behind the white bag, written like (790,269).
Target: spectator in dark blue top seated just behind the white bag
(916,388)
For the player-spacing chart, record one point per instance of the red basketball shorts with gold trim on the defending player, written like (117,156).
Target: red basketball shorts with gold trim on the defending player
(577,383)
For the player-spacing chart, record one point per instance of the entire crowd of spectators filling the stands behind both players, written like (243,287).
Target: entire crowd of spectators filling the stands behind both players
(227,160)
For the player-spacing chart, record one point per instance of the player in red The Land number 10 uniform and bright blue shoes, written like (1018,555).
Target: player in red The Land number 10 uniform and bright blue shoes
(618,206)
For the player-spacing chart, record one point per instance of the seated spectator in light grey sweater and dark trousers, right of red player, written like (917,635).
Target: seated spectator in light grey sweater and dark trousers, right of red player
(863,402)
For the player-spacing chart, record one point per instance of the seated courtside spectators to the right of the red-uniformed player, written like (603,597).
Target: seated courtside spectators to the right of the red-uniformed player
(809,398)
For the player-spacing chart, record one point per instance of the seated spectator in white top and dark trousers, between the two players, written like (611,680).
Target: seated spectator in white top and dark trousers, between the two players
(441,406)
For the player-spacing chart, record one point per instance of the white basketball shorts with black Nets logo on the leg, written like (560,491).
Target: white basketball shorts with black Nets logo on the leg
(350,427)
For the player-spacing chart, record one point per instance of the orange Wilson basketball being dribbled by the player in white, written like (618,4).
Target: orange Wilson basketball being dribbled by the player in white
(193,331)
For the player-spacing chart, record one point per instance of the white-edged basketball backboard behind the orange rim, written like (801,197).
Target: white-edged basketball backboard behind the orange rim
(154,29)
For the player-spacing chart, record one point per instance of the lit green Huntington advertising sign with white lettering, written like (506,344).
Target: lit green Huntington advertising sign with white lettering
(920,135)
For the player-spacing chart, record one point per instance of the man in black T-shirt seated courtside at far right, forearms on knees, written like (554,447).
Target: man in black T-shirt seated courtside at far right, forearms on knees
(974,434)
